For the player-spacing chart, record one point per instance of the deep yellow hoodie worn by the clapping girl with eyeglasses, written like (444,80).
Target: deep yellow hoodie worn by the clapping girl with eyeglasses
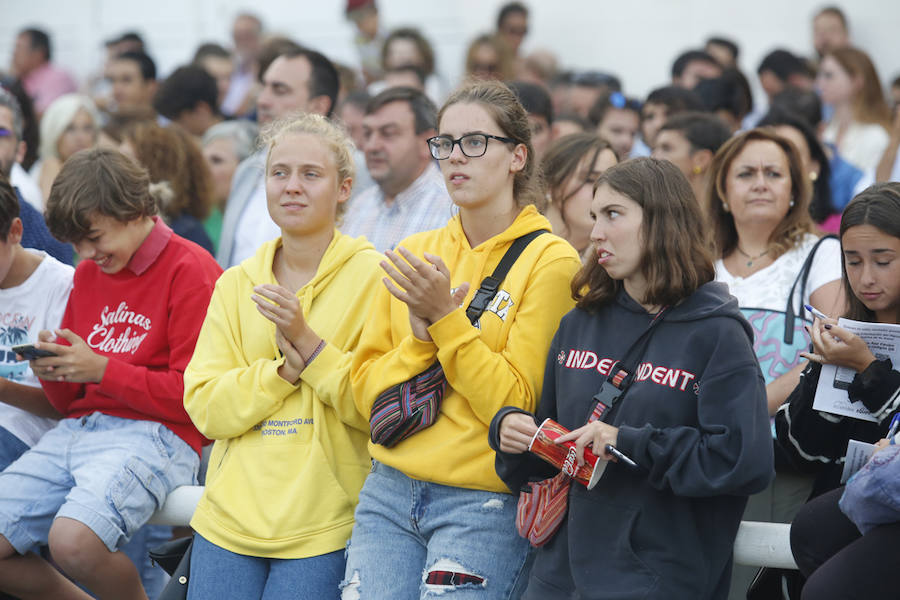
(502,364)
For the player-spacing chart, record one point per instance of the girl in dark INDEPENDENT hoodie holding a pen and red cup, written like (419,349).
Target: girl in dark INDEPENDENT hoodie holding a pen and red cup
(693,418)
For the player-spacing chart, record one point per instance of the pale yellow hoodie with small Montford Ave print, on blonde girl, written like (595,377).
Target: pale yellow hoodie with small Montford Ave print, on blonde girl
(288,461)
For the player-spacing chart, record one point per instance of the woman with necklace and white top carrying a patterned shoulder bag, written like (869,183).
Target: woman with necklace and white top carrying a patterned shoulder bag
(759,214)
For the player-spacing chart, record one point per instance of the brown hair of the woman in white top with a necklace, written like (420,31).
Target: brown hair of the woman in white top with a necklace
(792,227)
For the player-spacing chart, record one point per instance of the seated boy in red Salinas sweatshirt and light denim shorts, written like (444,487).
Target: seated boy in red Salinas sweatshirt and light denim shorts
(139,298)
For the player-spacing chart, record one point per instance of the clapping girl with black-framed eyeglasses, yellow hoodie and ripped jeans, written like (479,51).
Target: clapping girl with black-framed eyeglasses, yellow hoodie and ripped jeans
(433,516)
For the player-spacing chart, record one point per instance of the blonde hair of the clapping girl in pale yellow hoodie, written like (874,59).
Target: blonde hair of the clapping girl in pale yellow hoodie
(335,138)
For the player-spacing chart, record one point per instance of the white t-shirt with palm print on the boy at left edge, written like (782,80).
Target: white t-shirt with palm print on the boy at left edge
(36,304)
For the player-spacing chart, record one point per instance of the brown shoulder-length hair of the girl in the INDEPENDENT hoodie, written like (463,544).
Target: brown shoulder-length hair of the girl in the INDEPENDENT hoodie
(676,257)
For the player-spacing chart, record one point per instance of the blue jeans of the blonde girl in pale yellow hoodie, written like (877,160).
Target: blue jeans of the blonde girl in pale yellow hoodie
(217,574)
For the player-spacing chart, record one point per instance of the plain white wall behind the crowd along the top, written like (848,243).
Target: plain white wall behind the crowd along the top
(636,39)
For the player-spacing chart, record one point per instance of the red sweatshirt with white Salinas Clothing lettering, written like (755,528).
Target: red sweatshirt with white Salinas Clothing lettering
(145,319)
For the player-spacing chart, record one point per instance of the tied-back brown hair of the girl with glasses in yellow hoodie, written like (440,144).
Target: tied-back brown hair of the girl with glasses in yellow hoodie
(505,109)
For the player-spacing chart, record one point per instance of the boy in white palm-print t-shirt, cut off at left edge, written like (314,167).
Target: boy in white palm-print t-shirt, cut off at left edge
(34,289)
